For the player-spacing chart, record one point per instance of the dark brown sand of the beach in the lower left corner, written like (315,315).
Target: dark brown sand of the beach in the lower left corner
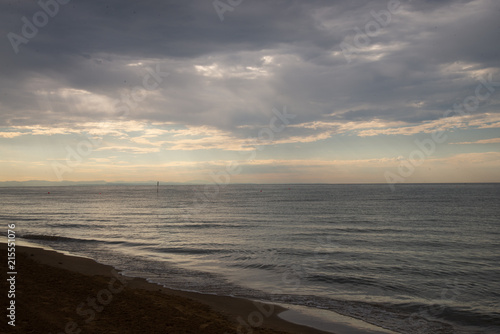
(57,293)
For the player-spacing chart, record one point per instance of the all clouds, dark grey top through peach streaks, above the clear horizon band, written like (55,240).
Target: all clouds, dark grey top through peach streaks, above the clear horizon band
(152,77)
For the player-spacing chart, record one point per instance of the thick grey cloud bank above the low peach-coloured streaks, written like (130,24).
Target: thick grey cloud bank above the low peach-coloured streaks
(90,45)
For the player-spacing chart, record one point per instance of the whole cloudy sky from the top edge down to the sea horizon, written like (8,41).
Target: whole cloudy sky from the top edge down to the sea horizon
(240,91)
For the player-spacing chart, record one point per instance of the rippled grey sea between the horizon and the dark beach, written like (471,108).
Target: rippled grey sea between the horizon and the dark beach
(422,259)
